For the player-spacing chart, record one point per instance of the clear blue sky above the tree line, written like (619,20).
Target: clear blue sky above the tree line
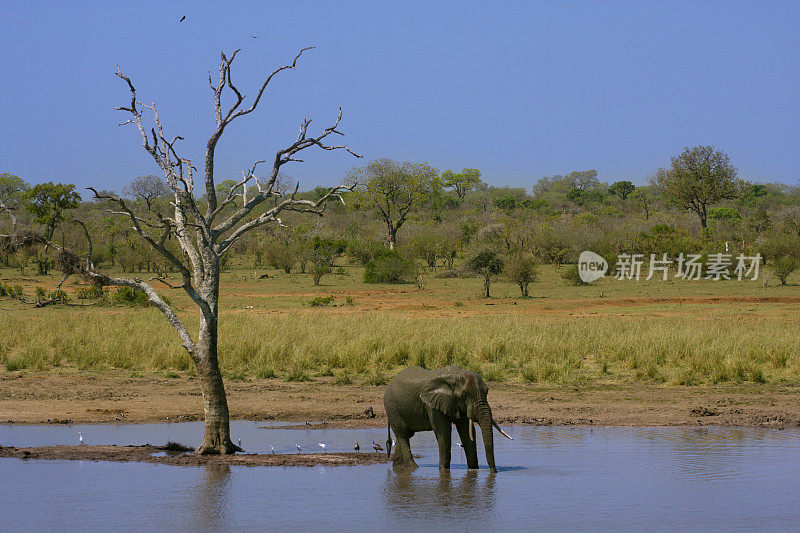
(519,90)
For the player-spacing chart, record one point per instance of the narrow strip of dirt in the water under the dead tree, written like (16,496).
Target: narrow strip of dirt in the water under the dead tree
(157,454)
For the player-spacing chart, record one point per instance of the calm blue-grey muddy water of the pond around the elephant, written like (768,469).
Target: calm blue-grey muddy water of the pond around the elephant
(551,478)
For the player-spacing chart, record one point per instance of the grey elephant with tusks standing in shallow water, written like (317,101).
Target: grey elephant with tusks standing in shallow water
(418,399)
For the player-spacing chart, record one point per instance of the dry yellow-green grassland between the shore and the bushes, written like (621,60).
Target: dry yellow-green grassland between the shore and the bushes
(678,333)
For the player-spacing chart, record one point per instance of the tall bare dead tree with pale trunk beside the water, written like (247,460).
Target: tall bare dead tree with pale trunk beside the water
(206,232)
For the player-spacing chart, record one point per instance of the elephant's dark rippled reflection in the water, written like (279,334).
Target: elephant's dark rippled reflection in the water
(469,494)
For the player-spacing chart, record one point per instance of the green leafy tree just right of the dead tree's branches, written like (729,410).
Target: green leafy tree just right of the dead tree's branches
(394,190)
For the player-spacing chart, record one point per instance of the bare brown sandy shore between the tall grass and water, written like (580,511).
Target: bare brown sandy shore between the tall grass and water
(48,397)
